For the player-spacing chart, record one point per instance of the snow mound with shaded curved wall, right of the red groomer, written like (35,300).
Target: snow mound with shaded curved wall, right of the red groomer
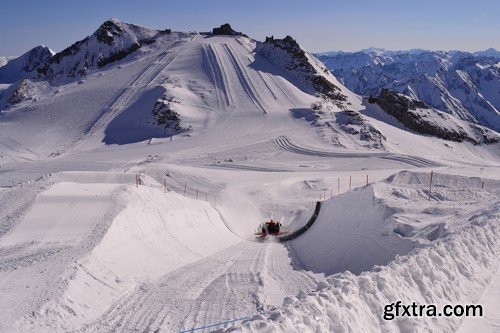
(373,224)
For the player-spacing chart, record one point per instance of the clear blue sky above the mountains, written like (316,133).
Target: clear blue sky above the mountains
(318,25)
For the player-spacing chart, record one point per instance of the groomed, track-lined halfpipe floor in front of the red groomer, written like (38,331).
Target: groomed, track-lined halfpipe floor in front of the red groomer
(229,284)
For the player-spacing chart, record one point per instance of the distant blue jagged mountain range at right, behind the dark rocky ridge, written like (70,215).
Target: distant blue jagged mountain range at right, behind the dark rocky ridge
(459,83)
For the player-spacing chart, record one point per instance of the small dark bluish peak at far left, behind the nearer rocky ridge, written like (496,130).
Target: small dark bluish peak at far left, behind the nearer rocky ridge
(15,69)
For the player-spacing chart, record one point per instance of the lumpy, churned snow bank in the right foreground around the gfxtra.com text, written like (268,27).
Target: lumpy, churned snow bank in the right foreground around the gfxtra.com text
(452,270)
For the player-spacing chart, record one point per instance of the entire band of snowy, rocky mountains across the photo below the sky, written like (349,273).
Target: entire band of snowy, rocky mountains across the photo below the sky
(129,83)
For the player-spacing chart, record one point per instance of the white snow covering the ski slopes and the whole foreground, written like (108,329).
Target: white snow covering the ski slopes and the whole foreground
(83,248)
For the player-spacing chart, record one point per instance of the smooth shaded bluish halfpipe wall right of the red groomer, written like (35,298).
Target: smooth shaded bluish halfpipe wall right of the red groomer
(351,233)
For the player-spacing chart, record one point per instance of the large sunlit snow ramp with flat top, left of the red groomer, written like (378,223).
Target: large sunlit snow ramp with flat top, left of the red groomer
(86,258)
